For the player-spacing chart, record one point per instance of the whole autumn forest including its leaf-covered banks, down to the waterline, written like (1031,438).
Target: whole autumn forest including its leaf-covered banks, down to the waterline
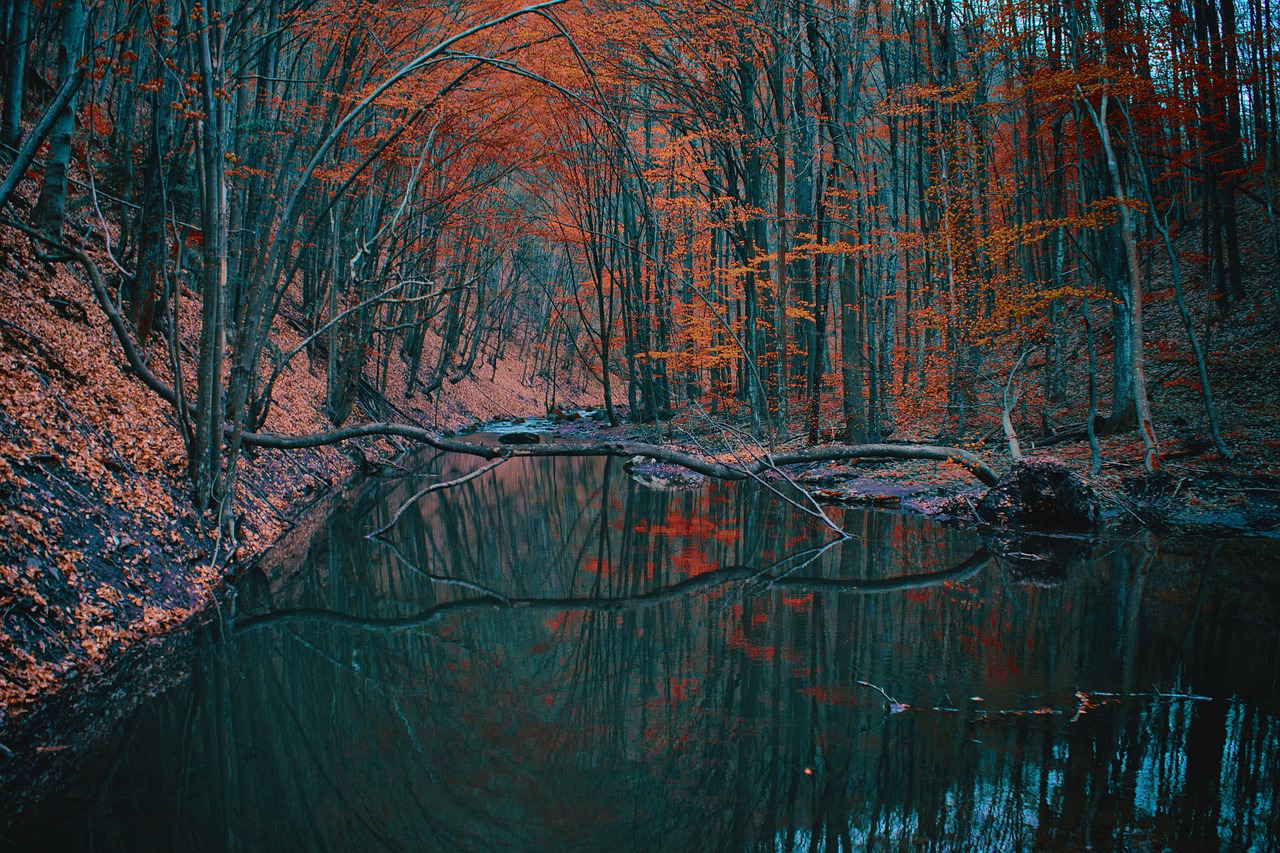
(254,247)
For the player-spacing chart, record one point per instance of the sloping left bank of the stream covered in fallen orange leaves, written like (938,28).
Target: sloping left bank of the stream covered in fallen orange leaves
(102,553)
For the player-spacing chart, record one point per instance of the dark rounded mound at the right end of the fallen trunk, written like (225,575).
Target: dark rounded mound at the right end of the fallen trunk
(1041,494)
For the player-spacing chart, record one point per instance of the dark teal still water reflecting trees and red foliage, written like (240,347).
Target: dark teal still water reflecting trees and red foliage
(555,658)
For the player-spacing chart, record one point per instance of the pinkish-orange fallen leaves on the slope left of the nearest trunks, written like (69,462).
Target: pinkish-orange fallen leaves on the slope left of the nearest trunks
(84,451)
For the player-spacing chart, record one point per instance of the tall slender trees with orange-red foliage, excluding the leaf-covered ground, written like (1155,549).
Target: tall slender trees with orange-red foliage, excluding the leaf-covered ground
(806,218)
